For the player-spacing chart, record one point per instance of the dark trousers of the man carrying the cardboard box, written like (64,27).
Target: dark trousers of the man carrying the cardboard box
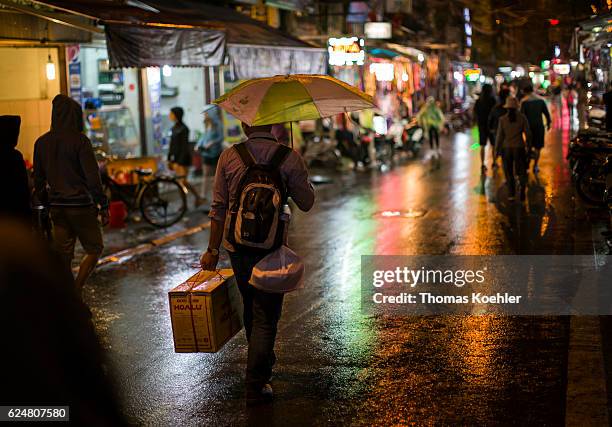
(262,311)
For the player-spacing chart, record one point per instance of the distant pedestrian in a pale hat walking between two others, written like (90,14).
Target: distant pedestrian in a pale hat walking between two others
(513,138)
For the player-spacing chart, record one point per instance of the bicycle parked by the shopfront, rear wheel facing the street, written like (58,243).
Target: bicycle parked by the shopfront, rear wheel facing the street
(161,200)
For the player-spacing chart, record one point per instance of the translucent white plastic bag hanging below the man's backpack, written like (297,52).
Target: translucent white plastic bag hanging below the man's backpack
(281,271)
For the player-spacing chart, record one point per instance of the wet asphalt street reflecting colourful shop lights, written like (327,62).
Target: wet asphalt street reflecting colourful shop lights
(337,366)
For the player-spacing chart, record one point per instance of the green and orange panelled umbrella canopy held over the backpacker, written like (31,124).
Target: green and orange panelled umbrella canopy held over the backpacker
(292,98)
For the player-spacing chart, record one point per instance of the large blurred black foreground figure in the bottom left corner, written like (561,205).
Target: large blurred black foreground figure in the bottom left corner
(51,354)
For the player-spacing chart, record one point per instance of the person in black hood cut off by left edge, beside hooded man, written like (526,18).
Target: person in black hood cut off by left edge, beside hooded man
(15,197)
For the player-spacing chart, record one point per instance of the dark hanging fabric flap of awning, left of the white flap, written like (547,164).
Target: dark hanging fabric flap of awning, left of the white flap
(136,46)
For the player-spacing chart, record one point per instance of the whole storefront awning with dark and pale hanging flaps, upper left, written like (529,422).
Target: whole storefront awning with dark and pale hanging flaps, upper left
(189,33)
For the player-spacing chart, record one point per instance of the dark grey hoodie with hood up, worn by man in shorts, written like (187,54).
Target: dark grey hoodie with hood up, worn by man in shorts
(65,168)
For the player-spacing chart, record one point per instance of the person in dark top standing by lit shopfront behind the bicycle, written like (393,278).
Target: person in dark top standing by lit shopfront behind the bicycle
(179,154)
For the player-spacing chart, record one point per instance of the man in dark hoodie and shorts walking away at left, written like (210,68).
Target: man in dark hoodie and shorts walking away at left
(66,176)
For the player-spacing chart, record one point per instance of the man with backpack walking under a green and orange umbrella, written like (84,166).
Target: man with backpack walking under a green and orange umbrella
(259,104)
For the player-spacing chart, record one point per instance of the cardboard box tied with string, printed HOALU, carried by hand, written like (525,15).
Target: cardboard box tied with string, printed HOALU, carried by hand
(206,311)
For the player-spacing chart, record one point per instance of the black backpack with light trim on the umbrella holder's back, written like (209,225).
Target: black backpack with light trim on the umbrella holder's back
(255,216)
